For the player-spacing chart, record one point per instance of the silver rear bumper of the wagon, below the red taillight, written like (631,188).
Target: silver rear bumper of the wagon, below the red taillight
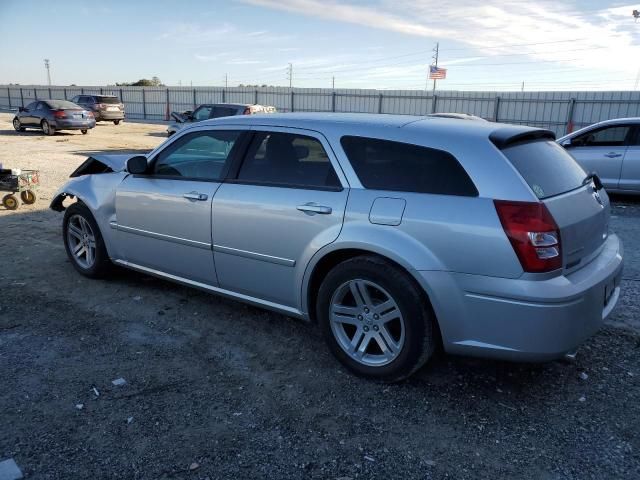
(526,320)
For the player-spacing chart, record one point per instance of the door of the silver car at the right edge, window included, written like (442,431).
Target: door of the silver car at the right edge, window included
(602,151)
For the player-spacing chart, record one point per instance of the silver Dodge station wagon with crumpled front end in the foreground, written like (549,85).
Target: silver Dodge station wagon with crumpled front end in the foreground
(395,234)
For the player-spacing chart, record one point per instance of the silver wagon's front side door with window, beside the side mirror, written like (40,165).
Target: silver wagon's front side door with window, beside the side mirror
(163,218)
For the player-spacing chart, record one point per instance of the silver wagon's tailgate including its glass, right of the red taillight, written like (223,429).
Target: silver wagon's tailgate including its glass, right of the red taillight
(581,212)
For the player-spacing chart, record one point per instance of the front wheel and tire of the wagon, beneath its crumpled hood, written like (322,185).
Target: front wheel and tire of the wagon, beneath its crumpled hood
(81,234)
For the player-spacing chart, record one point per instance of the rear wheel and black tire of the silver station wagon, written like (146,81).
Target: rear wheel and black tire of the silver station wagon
(409,334)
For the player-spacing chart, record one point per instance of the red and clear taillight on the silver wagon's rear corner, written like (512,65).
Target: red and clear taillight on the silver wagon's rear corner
(533,233)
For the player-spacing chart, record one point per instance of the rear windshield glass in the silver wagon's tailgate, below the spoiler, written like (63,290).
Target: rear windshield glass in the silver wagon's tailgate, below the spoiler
(546,167)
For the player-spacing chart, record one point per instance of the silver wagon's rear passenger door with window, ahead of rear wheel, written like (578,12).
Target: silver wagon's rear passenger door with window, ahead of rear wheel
(285,202)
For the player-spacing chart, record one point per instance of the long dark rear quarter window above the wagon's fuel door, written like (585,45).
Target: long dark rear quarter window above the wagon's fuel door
(403,167)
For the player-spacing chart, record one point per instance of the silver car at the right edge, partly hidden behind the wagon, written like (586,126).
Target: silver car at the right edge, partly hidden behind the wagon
(612,150)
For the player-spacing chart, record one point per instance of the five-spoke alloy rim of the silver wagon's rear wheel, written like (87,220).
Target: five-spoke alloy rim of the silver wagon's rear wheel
(367,322)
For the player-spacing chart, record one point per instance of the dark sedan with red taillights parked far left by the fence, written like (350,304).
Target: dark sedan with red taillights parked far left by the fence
(53,115)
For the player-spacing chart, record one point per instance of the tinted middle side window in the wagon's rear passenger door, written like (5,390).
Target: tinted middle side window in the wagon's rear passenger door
(286,159)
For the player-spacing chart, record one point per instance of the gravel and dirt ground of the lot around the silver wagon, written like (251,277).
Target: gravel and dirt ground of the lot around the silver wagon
(216,389)
